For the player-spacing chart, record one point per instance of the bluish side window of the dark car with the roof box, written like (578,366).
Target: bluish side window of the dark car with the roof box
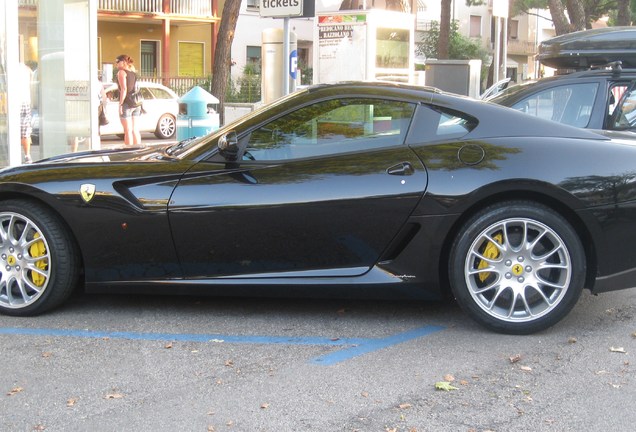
(570,104)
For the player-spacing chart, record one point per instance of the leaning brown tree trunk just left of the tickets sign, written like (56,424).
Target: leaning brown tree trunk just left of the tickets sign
(223,52)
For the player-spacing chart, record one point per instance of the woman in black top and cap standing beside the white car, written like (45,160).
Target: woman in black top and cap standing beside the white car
(128,112)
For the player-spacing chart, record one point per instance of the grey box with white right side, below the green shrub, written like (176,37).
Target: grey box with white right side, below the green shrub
(455,76)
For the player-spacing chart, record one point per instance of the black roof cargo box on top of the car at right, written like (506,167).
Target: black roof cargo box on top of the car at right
(587,48)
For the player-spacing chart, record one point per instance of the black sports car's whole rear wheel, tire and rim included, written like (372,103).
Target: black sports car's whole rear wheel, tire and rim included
(517,267)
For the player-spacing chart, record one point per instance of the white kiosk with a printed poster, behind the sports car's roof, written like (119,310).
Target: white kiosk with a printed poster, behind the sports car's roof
(360,45)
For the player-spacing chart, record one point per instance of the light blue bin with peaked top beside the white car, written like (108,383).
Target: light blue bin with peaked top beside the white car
(197,114)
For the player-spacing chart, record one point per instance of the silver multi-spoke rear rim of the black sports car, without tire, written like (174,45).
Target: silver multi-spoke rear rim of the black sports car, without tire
(518,270)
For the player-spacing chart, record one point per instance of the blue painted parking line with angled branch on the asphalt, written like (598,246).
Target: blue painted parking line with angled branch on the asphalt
(353,347)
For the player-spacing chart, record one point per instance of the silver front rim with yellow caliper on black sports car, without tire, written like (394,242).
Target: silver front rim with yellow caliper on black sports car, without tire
(25,261)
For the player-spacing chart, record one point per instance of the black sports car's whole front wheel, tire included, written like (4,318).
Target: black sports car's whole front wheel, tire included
(39,261)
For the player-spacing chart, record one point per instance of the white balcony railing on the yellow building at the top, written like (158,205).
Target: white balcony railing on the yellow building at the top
(199,8)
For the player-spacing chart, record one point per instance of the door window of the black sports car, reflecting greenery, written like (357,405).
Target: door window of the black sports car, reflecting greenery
(331,127)
